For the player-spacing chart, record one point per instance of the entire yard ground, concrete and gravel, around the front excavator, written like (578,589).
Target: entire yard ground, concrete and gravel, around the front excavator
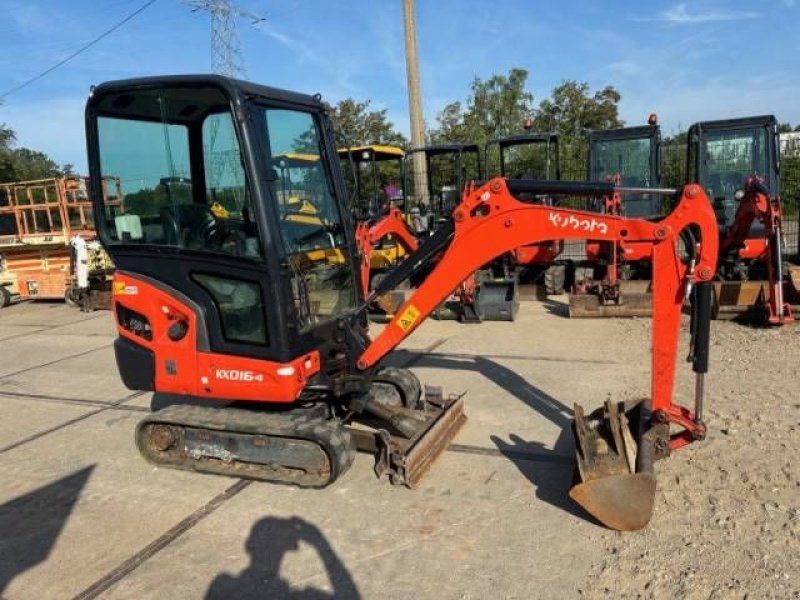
(83,516)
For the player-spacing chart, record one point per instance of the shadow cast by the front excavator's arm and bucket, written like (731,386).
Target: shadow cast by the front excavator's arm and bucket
(550,471)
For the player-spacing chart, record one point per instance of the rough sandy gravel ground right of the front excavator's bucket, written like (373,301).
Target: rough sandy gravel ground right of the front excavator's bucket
(727,521)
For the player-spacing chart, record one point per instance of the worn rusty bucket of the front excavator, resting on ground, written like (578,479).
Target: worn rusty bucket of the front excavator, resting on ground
(614,478)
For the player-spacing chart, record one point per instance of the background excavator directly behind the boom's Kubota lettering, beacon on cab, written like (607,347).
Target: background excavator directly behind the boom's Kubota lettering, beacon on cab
(615,279)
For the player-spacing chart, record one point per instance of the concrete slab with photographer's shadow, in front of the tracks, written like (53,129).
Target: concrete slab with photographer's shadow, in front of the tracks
(473,525)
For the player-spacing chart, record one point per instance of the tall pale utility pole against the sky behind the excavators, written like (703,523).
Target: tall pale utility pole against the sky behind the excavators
(415,102)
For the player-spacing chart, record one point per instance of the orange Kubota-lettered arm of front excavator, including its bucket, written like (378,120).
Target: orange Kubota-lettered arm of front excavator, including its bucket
(616,449)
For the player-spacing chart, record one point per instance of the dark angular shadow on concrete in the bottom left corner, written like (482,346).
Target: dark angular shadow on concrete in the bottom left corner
(31,524)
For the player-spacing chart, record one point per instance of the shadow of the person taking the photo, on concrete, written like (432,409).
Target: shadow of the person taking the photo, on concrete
(270,539)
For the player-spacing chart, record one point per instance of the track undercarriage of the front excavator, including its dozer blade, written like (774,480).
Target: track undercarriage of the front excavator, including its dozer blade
(310,446)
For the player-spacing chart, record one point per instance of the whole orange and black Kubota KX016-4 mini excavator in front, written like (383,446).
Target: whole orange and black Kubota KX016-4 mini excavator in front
(264,314)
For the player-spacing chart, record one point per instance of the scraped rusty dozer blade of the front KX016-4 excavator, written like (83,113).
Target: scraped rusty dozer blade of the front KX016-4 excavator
(407,458)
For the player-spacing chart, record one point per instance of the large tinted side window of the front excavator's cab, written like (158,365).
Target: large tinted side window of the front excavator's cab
(177,160)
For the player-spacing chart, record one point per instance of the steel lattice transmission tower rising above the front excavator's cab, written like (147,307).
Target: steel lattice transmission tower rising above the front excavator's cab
(226,50)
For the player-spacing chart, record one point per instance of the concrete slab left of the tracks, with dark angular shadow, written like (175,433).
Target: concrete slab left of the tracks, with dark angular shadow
(78,502)
